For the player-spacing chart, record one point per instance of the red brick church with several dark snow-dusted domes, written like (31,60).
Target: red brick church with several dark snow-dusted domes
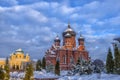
(68,53)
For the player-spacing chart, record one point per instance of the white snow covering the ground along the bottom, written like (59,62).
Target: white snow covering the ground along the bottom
(44,74)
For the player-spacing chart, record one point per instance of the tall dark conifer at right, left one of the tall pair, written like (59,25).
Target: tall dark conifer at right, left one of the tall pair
(109,62)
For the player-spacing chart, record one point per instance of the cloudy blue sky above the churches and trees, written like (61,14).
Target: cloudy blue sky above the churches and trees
(33,24)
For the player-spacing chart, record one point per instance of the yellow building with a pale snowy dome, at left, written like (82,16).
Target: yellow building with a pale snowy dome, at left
(17,60)
